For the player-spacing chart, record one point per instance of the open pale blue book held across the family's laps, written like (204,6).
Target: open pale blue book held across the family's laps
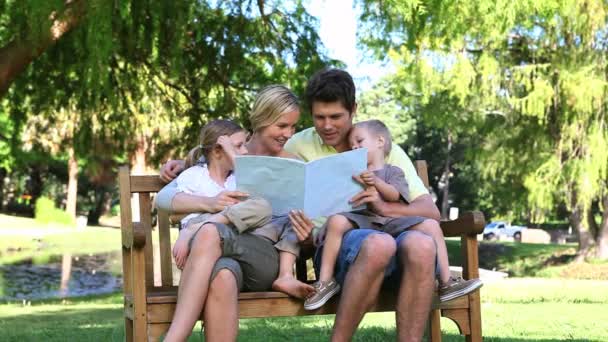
(321,187)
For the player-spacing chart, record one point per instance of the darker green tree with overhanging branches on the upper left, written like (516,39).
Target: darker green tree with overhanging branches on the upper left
(142,77)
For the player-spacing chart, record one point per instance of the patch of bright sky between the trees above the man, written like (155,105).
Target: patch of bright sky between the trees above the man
(338,30)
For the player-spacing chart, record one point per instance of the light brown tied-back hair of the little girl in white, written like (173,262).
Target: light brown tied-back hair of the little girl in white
(208,139)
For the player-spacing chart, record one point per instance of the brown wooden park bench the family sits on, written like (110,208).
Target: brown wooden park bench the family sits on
(149,304)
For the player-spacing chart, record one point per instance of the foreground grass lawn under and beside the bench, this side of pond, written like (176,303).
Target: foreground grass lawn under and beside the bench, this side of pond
(516,309)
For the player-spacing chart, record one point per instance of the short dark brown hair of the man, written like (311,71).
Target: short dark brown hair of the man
(331,85)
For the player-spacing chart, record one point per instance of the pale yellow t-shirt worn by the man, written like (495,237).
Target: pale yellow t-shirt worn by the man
(308,145)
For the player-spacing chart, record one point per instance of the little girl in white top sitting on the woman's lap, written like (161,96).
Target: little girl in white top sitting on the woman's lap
(252,214)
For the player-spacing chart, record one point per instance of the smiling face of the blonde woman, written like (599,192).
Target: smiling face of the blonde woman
(274,137)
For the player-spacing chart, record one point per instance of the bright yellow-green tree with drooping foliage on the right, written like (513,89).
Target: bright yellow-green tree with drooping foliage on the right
(535,70)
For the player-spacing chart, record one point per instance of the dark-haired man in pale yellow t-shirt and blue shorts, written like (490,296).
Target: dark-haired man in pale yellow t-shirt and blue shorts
(368,257)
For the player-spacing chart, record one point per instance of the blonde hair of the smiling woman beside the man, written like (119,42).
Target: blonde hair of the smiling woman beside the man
(270,103)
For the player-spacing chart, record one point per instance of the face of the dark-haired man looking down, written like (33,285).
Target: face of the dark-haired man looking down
(333,122)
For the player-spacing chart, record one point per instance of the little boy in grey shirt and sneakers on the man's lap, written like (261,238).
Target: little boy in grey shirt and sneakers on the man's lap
(390,183)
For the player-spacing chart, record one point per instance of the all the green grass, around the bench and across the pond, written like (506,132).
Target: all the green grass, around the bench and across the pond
(531,309)
